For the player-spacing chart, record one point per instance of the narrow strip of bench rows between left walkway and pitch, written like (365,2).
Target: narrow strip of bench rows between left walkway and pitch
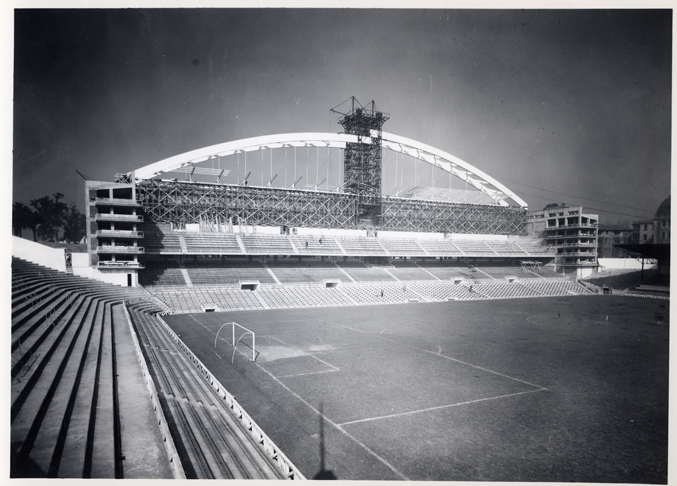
(215,438)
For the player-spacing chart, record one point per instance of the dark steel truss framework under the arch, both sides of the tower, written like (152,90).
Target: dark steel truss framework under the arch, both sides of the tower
(182,203)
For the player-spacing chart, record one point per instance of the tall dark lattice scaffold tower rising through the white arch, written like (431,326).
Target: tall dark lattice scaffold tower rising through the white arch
(362,160)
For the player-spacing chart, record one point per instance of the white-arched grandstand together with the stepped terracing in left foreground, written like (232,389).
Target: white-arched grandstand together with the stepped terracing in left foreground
(158,246)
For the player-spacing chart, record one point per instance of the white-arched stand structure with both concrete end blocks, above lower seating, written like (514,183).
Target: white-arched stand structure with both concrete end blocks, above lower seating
(130,219)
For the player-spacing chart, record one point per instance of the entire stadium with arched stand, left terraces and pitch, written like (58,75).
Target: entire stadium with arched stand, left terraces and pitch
(223,326)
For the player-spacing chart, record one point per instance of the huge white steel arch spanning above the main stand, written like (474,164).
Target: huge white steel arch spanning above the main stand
(438,158)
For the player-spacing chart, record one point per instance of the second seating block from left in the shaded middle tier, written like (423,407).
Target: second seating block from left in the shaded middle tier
(204,272)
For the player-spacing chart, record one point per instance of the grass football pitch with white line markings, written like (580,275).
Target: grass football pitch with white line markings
(503,390)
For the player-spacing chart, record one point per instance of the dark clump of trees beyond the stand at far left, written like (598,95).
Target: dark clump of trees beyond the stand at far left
(50,219)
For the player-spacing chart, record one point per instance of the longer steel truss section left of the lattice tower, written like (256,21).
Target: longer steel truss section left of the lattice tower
(182,203)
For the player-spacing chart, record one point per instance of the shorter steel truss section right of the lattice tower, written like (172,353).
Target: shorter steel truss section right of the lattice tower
(429,216)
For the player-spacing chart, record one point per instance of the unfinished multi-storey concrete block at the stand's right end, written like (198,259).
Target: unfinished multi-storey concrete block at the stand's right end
(572,232)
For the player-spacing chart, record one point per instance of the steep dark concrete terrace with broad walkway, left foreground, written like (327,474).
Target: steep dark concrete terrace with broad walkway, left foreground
(70,342)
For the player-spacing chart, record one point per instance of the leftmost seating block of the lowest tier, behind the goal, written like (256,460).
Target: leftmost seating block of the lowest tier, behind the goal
(194,300)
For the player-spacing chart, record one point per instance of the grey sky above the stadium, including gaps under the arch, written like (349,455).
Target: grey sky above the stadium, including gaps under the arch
(566,106)
